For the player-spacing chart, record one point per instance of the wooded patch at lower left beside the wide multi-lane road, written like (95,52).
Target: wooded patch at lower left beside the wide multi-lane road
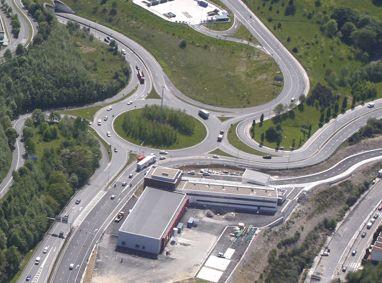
(41,188)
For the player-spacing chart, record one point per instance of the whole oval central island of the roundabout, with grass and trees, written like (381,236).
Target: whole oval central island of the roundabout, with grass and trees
(157,127)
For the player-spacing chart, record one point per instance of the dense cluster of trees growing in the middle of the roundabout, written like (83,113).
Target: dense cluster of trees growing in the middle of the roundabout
(158,126)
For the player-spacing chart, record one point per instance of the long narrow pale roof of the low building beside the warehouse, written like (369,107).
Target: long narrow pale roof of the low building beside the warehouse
(226,187)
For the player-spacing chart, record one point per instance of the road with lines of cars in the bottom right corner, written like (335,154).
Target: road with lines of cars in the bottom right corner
(348,234)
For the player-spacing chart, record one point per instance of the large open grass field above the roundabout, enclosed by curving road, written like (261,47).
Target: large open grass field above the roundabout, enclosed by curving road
(212,71)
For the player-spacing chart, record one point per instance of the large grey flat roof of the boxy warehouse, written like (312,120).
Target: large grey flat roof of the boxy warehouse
(152,213)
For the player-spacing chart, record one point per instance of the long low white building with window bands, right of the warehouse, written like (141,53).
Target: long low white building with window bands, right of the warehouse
(231,195)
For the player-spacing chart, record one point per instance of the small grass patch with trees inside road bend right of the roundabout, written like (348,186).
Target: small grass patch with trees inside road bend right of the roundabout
(291,128)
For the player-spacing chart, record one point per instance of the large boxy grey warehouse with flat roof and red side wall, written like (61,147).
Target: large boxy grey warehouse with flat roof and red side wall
(149,226)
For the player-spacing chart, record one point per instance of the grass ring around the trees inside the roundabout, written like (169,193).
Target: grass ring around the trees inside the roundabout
(183,141)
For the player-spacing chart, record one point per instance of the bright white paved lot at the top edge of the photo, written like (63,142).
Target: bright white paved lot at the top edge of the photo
(191,12)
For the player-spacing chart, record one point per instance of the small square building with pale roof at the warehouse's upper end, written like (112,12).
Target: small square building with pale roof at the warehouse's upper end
(163,178)
